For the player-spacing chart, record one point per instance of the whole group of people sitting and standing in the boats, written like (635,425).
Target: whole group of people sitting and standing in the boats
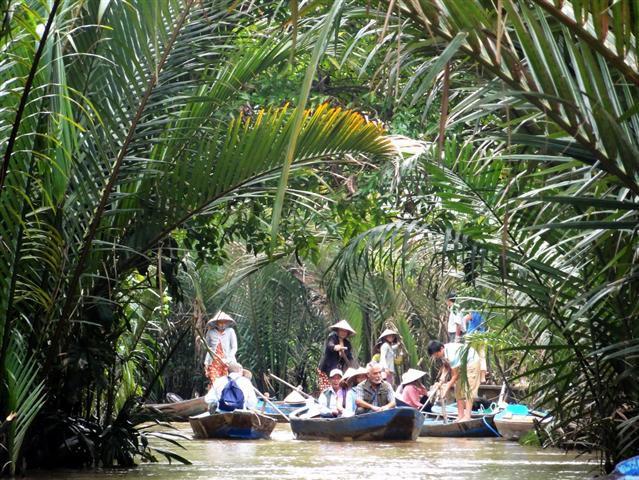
(346,389)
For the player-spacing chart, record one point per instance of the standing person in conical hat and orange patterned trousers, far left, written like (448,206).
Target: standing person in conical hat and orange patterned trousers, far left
(222,346)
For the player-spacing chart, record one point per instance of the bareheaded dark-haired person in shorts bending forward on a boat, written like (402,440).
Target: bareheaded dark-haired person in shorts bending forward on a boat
(466,386)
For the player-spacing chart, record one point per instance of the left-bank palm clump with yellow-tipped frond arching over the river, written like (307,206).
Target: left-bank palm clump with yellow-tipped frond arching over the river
(123,126)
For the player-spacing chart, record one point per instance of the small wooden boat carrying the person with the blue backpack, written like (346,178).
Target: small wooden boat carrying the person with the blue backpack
(238,425)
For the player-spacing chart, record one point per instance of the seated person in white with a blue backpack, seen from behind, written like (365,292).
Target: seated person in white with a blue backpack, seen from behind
(223,395)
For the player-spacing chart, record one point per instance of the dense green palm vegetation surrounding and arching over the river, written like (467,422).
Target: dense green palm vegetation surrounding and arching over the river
(297,163)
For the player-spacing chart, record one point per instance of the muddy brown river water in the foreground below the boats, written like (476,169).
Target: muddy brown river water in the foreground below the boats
(286,458)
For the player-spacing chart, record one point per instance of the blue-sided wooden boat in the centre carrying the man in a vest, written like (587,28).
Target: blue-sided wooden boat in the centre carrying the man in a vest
(394,424)
